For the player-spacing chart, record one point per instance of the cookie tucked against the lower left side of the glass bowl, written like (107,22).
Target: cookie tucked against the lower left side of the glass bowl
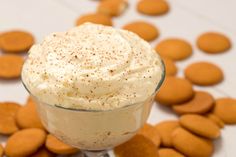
(56,146)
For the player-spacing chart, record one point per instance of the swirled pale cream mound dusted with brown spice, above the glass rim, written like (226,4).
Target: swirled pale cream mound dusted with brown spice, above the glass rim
(92,67)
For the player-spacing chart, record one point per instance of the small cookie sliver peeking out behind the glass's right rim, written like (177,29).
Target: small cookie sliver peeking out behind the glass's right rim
(171,68)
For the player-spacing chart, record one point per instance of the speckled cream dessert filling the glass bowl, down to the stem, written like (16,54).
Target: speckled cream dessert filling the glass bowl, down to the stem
(98,70)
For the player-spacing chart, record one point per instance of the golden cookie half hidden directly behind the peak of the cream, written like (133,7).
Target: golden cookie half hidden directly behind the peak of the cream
(96,18)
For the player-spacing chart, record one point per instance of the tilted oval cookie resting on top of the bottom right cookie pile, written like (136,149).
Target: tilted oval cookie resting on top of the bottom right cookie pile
(200,125)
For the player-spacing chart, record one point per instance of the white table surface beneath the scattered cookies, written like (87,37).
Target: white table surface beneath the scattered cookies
(187,19)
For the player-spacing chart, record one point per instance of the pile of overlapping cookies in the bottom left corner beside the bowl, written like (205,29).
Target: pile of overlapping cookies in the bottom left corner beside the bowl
(27,136)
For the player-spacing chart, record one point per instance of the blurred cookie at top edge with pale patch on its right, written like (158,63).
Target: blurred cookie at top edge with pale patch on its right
(112,7)
